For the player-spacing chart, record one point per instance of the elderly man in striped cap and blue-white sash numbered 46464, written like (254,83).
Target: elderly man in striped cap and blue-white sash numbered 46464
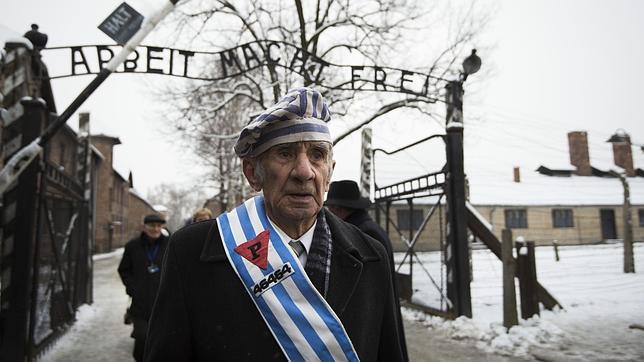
(278,278)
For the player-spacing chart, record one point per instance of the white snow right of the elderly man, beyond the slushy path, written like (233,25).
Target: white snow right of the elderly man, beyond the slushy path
(600,303)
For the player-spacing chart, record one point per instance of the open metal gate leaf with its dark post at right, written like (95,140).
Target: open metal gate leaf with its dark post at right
(447,187)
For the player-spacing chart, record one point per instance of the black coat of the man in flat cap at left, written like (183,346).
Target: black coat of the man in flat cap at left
(139,284)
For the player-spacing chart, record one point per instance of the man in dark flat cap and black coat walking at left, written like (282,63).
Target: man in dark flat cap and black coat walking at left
(140,270)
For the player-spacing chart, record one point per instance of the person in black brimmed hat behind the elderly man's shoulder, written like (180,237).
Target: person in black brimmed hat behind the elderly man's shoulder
(345,201)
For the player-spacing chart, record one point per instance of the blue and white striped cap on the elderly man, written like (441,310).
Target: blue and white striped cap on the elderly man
(300,115)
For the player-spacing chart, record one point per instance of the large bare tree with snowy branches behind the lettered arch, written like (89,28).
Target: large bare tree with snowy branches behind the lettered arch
(364,32)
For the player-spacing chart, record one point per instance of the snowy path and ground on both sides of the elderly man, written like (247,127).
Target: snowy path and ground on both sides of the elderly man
(600,301)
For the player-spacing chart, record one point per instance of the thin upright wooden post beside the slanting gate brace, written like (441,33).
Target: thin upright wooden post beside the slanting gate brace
(509,294)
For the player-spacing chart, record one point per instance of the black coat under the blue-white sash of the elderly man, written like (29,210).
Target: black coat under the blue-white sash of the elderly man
(203,313)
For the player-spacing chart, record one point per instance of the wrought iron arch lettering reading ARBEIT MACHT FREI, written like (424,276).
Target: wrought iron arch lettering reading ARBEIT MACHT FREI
(249,57)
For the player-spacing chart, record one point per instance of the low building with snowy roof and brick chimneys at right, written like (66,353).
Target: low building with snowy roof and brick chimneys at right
(576,203)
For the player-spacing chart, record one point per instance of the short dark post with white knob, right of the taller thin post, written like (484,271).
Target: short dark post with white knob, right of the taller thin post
(527,272)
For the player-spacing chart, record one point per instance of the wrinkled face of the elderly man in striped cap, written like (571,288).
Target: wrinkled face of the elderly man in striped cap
(294,178)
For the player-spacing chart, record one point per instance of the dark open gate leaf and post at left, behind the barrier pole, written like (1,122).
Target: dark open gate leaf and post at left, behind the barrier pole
(45,251)
